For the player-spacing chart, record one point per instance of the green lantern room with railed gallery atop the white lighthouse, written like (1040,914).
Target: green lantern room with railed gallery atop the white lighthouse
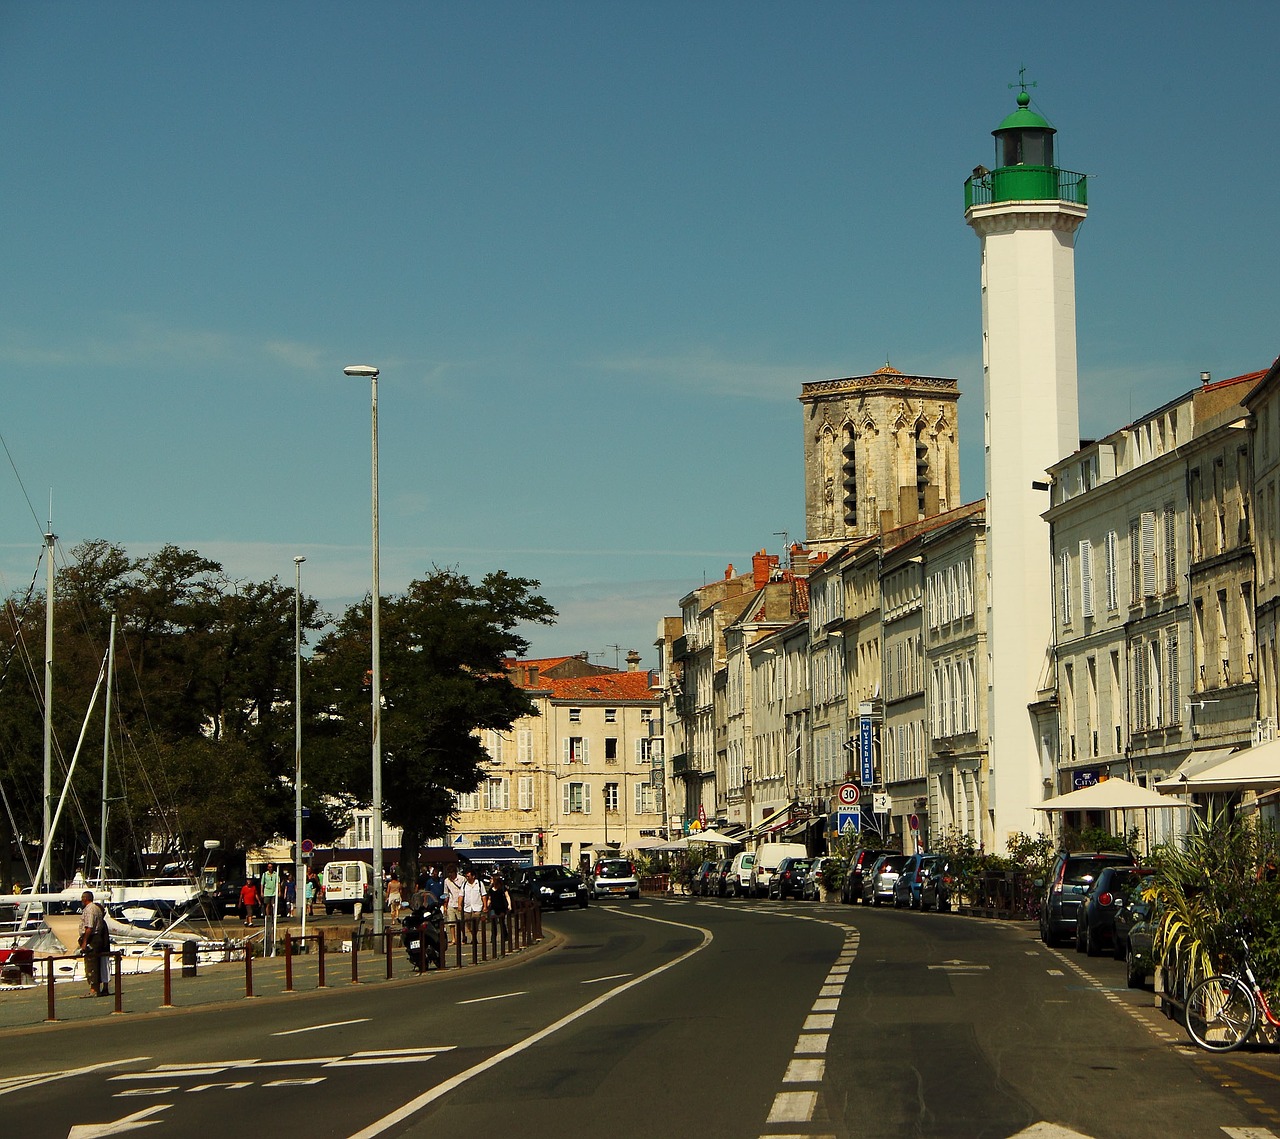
(1025,164)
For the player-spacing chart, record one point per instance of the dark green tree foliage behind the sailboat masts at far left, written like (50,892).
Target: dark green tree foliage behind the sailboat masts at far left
(202,707)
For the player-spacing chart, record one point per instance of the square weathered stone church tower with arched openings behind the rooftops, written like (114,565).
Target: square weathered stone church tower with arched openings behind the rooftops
(880,452)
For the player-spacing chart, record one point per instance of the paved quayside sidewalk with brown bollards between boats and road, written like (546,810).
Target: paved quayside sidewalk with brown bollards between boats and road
(228,982)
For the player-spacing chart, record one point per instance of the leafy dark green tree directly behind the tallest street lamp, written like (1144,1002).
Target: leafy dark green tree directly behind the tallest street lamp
(445,643)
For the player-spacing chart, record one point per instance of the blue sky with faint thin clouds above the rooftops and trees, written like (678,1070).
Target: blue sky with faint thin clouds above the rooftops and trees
(595,249)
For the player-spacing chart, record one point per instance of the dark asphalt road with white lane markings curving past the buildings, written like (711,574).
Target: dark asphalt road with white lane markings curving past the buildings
(671,1018)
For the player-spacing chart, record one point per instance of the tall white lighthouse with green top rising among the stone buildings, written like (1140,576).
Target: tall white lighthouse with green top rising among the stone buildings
(1027,213)
